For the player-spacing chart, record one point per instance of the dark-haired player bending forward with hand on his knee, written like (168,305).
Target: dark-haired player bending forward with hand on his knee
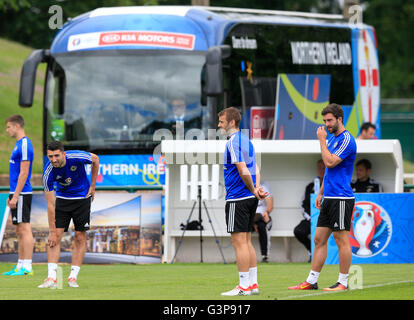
(74,195)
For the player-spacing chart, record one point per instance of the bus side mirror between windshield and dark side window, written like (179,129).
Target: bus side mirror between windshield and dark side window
(214,69)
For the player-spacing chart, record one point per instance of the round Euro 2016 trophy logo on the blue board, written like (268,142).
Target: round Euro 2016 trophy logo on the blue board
(371,229)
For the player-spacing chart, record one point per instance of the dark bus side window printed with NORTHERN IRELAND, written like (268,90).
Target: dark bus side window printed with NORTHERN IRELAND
(261,52)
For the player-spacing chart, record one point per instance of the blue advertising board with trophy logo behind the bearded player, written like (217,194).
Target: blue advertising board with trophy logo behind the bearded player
(382,229)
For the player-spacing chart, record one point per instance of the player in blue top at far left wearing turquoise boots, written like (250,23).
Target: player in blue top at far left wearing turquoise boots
(20,198)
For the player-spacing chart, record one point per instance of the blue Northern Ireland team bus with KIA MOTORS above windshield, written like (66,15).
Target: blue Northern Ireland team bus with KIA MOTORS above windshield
(116,75)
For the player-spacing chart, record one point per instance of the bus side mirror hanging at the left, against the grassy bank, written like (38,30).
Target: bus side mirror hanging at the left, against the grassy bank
(28,76)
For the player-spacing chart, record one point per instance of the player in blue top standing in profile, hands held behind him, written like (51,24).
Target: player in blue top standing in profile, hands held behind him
(242,181)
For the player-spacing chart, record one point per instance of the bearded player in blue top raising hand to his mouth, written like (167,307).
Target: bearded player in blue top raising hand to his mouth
(336,209)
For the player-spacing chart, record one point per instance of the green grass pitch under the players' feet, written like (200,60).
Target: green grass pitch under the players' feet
(204,282)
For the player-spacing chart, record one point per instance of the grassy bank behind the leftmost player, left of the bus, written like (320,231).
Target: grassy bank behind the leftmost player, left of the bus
(12,57)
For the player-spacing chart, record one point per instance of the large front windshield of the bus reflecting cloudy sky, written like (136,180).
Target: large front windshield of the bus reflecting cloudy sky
(116,100)
